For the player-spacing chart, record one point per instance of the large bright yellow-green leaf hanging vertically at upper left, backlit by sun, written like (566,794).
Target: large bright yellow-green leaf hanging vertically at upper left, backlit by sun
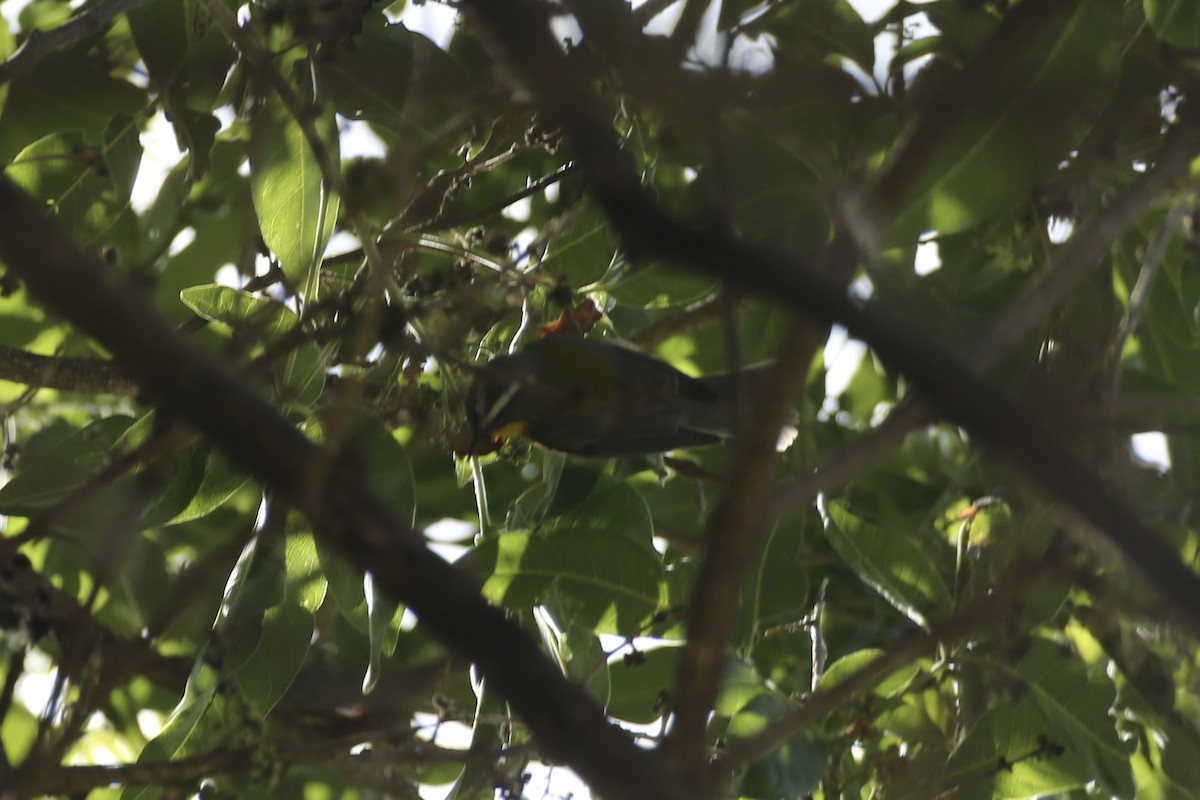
(296,209)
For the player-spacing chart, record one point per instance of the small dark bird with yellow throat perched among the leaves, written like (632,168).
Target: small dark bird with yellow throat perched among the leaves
(592,398)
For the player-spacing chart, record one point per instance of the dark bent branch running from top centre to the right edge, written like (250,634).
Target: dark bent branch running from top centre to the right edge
(523,31)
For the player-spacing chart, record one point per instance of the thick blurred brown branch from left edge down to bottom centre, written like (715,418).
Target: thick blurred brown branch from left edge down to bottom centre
(189,384)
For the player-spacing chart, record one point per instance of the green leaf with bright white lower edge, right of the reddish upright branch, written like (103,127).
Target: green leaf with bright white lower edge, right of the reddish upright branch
(890,563)
